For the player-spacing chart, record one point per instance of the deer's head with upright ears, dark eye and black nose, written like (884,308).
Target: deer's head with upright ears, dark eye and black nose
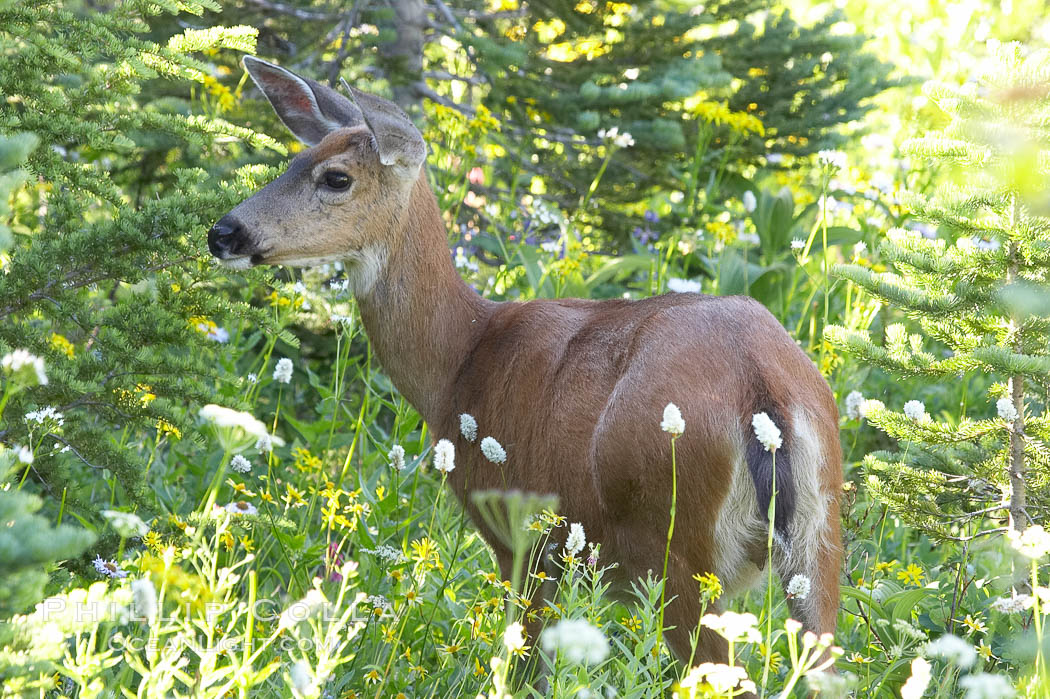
(342,199)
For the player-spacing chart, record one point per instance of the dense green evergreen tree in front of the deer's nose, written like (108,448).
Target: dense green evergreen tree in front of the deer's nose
(104,278)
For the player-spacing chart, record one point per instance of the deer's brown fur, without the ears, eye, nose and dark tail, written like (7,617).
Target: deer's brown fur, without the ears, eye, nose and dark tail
(574,390)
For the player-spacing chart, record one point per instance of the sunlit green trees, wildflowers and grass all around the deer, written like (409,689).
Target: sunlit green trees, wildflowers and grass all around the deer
(209,488)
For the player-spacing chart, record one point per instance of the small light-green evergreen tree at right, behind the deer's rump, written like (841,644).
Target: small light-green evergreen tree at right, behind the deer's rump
(981,301)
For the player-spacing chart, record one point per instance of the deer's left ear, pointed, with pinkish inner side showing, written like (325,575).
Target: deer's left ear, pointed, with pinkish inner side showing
(309,110)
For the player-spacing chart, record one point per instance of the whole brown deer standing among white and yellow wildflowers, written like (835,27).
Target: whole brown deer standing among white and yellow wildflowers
(573,389)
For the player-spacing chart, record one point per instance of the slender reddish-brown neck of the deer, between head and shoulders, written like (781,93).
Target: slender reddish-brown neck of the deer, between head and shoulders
(423,320)
